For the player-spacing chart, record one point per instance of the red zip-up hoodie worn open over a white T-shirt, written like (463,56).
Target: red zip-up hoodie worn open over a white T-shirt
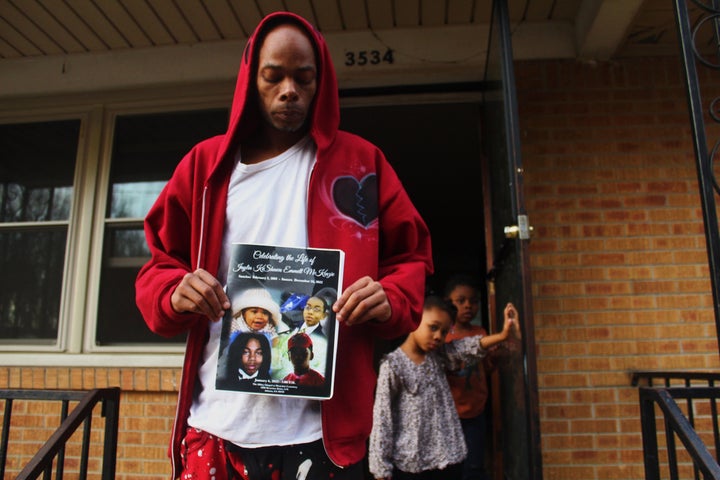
(356,203)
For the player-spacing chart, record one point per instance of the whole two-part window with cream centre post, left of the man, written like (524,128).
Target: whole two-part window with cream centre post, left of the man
(48,171)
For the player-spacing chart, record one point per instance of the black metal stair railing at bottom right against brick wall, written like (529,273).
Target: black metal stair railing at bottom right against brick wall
(687,404)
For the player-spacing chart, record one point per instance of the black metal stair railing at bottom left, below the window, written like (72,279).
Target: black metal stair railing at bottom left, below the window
(42,462)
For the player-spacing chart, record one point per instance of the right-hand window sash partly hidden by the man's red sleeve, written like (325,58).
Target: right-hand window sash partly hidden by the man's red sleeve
(146,150)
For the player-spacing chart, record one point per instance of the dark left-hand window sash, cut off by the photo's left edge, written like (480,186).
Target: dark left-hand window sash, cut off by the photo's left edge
(36,195)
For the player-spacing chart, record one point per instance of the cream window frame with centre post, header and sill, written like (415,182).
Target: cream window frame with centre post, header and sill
(77,325)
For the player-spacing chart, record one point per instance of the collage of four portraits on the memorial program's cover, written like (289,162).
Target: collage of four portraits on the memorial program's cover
(261,353)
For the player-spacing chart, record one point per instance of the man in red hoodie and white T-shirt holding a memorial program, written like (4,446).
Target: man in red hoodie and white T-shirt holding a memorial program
(282,174)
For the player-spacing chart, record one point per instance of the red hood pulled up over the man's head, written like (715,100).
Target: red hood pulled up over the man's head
(324,116)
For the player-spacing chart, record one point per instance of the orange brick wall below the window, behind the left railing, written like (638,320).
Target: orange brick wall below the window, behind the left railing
(147,407)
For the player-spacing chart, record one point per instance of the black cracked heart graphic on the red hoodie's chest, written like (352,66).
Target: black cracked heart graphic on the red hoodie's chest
(357,199)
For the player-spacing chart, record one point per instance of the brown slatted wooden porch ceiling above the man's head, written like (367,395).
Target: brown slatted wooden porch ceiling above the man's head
(602,29)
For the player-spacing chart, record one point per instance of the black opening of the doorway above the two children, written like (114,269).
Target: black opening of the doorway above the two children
(435,150)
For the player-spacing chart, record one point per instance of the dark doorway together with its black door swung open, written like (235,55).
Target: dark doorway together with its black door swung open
(453,174)
